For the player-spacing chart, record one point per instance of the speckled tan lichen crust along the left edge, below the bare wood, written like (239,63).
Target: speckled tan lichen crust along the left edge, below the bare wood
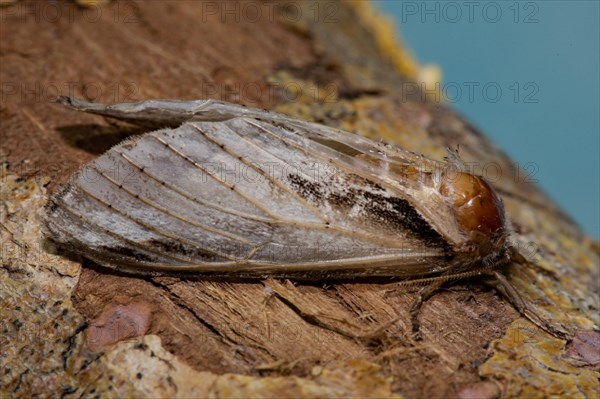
(40,323)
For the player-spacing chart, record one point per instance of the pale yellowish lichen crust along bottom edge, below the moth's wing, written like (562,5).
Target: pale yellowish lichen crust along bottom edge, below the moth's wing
(157,372)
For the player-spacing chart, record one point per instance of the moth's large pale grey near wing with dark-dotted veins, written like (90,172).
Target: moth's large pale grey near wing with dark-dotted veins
(219,197)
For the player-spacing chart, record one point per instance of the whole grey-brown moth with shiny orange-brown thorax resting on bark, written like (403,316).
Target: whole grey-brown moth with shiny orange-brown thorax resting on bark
(225,190)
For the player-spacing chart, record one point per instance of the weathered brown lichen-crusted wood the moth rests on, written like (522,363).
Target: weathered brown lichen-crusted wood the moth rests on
(69,327)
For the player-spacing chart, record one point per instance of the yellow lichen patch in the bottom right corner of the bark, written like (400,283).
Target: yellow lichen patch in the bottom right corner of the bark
(529,363)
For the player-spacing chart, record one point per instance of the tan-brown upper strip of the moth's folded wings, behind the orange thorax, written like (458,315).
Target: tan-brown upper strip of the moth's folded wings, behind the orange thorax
(404,174)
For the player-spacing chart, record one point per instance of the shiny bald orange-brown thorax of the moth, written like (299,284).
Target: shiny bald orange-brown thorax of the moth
(478,209)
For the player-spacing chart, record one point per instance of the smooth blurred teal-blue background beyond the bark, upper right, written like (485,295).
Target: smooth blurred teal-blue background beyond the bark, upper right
(544,56)
